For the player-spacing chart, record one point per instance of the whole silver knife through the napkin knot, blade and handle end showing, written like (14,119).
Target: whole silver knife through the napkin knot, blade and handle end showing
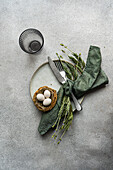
(61,79)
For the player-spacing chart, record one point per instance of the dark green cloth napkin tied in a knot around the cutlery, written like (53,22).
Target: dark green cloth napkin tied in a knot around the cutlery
(91,78)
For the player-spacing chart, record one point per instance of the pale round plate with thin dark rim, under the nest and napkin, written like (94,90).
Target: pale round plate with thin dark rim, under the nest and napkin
(44,76)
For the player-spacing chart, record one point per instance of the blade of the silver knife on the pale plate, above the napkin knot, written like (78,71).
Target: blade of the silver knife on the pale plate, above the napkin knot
(55,71)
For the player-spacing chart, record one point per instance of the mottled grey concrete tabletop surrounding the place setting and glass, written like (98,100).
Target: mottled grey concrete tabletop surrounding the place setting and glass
(88,145)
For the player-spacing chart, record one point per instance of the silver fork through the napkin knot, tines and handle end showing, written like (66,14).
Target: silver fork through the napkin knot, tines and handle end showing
(63,74)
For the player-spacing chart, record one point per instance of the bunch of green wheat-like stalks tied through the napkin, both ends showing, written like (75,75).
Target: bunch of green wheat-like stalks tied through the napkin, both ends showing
(65,111)
